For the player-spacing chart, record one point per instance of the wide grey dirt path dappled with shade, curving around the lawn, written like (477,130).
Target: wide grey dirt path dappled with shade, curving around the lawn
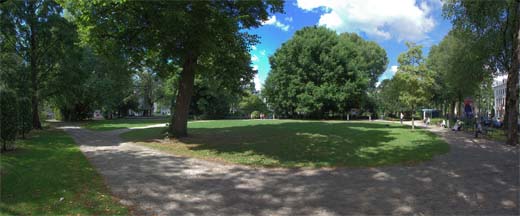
(475,178)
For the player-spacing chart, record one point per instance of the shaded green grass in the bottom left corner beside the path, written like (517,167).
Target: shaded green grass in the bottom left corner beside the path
(47,167)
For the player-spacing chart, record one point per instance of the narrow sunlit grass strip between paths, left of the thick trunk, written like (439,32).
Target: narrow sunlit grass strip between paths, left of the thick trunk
(106,125)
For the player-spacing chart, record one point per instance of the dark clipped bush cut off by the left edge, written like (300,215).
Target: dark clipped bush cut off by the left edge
(8,117)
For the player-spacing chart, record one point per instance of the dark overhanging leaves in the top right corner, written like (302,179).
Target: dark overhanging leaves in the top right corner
(491,23)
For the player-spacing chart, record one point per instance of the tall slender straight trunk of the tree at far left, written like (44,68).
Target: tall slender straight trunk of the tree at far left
(34,76)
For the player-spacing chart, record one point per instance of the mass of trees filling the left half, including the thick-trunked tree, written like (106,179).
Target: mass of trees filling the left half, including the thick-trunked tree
(77,56)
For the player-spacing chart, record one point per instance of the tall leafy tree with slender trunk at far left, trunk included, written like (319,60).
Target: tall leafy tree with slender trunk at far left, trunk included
(38,34)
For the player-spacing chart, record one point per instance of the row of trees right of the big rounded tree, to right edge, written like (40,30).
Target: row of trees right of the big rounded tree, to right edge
(483,43)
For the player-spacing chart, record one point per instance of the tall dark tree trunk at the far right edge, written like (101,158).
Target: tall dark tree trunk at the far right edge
(512,84)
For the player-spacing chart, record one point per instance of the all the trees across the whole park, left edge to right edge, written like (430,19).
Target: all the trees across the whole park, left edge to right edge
(193,56)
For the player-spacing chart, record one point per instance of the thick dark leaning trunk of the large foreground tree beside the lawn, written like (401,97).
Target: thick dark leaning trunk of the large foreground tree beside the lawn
(182,103)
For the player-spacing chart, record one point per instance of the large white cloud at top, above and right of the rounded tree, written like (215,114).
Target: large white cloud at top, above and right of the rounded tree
(400,19)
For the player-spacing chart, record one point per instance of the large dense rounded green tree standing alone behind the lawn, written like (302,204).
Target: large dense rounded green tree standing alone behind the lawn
(318,72)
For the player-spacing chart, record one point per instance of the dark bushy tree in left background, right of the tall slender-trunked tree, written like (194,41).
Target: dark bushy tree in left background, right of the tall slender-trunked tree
(98,82)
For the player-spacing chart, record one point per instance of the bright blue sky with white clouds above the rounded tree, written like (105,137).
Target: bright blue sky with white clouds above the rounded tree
(387,22)
